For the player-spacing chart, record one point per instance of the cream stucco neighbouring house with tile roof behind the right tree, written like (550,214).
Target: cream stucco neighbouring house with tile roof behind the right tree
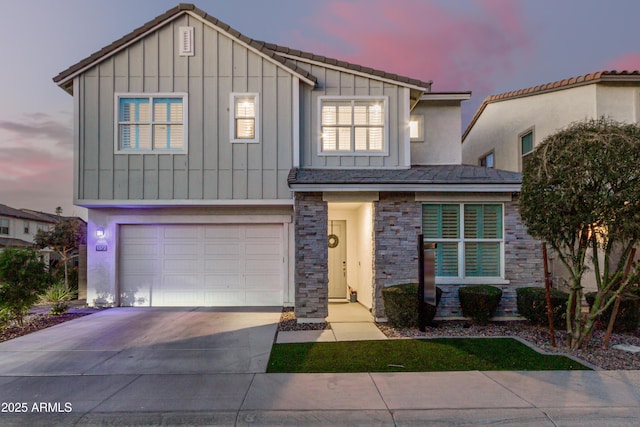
(507,127)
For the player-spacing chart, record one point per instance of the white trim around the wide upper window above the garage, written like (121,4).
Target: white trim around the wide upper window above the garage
(151,96)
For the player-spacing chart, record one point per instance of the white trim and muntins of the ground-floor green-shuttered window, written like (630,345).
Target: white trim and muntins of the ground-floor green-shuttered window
(461,278)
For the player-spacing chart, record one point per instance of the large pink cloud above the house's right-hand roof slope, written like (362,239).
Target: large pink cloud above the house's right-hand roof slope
(459,49)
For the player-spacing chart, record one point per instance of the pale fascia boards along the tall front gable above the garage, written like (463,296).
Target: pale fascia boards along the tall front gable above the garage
(64,82)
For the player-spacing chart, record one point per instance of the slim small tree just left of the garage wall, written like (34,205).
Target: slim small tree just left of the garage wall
(64,238)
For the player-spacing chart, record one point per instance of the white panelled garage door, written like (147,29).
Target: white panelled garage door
(201,265)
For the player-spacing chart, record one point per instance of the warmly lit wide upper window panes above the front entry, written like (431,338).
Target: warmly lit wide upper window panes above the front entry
(353,126)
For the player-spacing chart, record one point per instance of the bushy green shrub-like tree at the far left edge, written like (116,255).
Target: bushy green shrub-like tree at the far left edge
(22,278)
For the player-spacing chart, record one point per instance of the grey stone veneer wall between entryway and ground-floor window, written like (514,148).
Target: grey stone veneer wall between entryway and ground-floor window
(397,219)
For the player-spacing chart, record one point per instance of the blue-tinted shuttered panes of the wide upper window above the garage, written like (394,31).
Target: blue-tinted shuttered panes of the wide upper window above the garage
(151,122)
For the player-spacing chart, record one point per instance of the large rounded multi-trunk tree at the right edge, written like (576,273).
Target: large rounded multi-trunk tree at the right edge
(581,194)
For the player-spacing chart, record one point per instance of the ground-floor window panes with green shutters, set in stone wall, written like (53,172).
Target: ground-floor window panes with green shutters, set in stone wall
(469,239)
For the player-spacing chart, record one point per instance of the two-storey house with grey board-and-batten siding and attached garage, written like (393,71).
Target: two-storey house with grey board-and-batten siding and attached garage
(219,170)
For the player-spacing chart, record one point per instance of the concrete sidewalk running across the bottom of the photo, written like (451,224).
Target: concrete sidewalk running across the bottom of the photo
(552,398)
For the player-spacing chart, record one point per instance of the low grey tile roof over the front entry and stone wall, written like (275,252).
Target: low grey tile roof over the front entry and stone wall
(416,175)
